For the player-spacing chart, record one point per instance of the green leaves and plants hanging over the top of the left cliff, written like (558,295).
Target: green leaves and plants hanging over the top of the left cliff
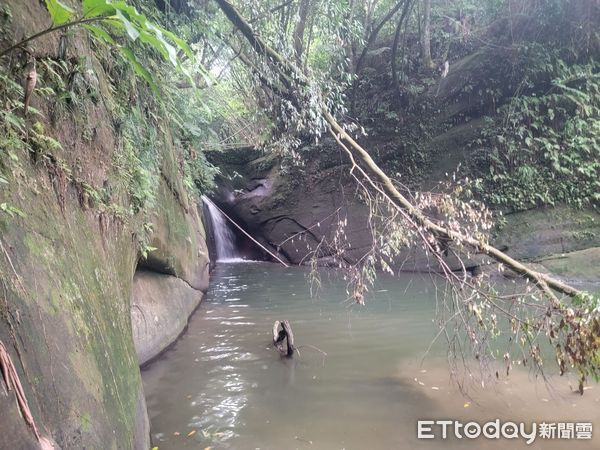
(143,120)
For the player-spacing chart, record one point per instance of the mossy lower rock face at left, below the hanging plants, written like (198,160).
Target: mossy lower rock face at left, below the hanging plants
(66,279)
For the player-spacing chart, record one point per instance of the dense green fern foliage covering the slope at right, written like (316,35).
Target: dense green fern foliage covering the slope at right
(544,149)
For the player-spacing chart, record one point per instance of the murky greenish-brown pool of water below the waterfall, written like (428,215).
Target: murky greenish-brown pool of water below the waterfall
(223,384)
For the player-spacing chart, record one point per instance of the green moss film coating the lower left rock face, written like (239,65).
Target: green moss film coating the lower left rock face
(77,284)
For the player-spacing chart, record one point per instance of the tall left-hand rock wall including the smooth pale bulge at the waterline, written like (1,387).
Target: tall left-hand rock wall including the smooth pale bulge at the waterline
(70,244)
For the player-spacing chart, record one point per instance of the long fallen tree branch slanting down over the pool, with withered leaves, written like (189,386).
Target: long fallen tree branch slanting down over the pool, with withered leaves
(573,328)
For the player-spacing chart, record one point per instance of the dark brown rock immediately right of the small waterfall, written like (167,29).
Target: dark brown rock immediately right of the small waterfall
(292,216)
